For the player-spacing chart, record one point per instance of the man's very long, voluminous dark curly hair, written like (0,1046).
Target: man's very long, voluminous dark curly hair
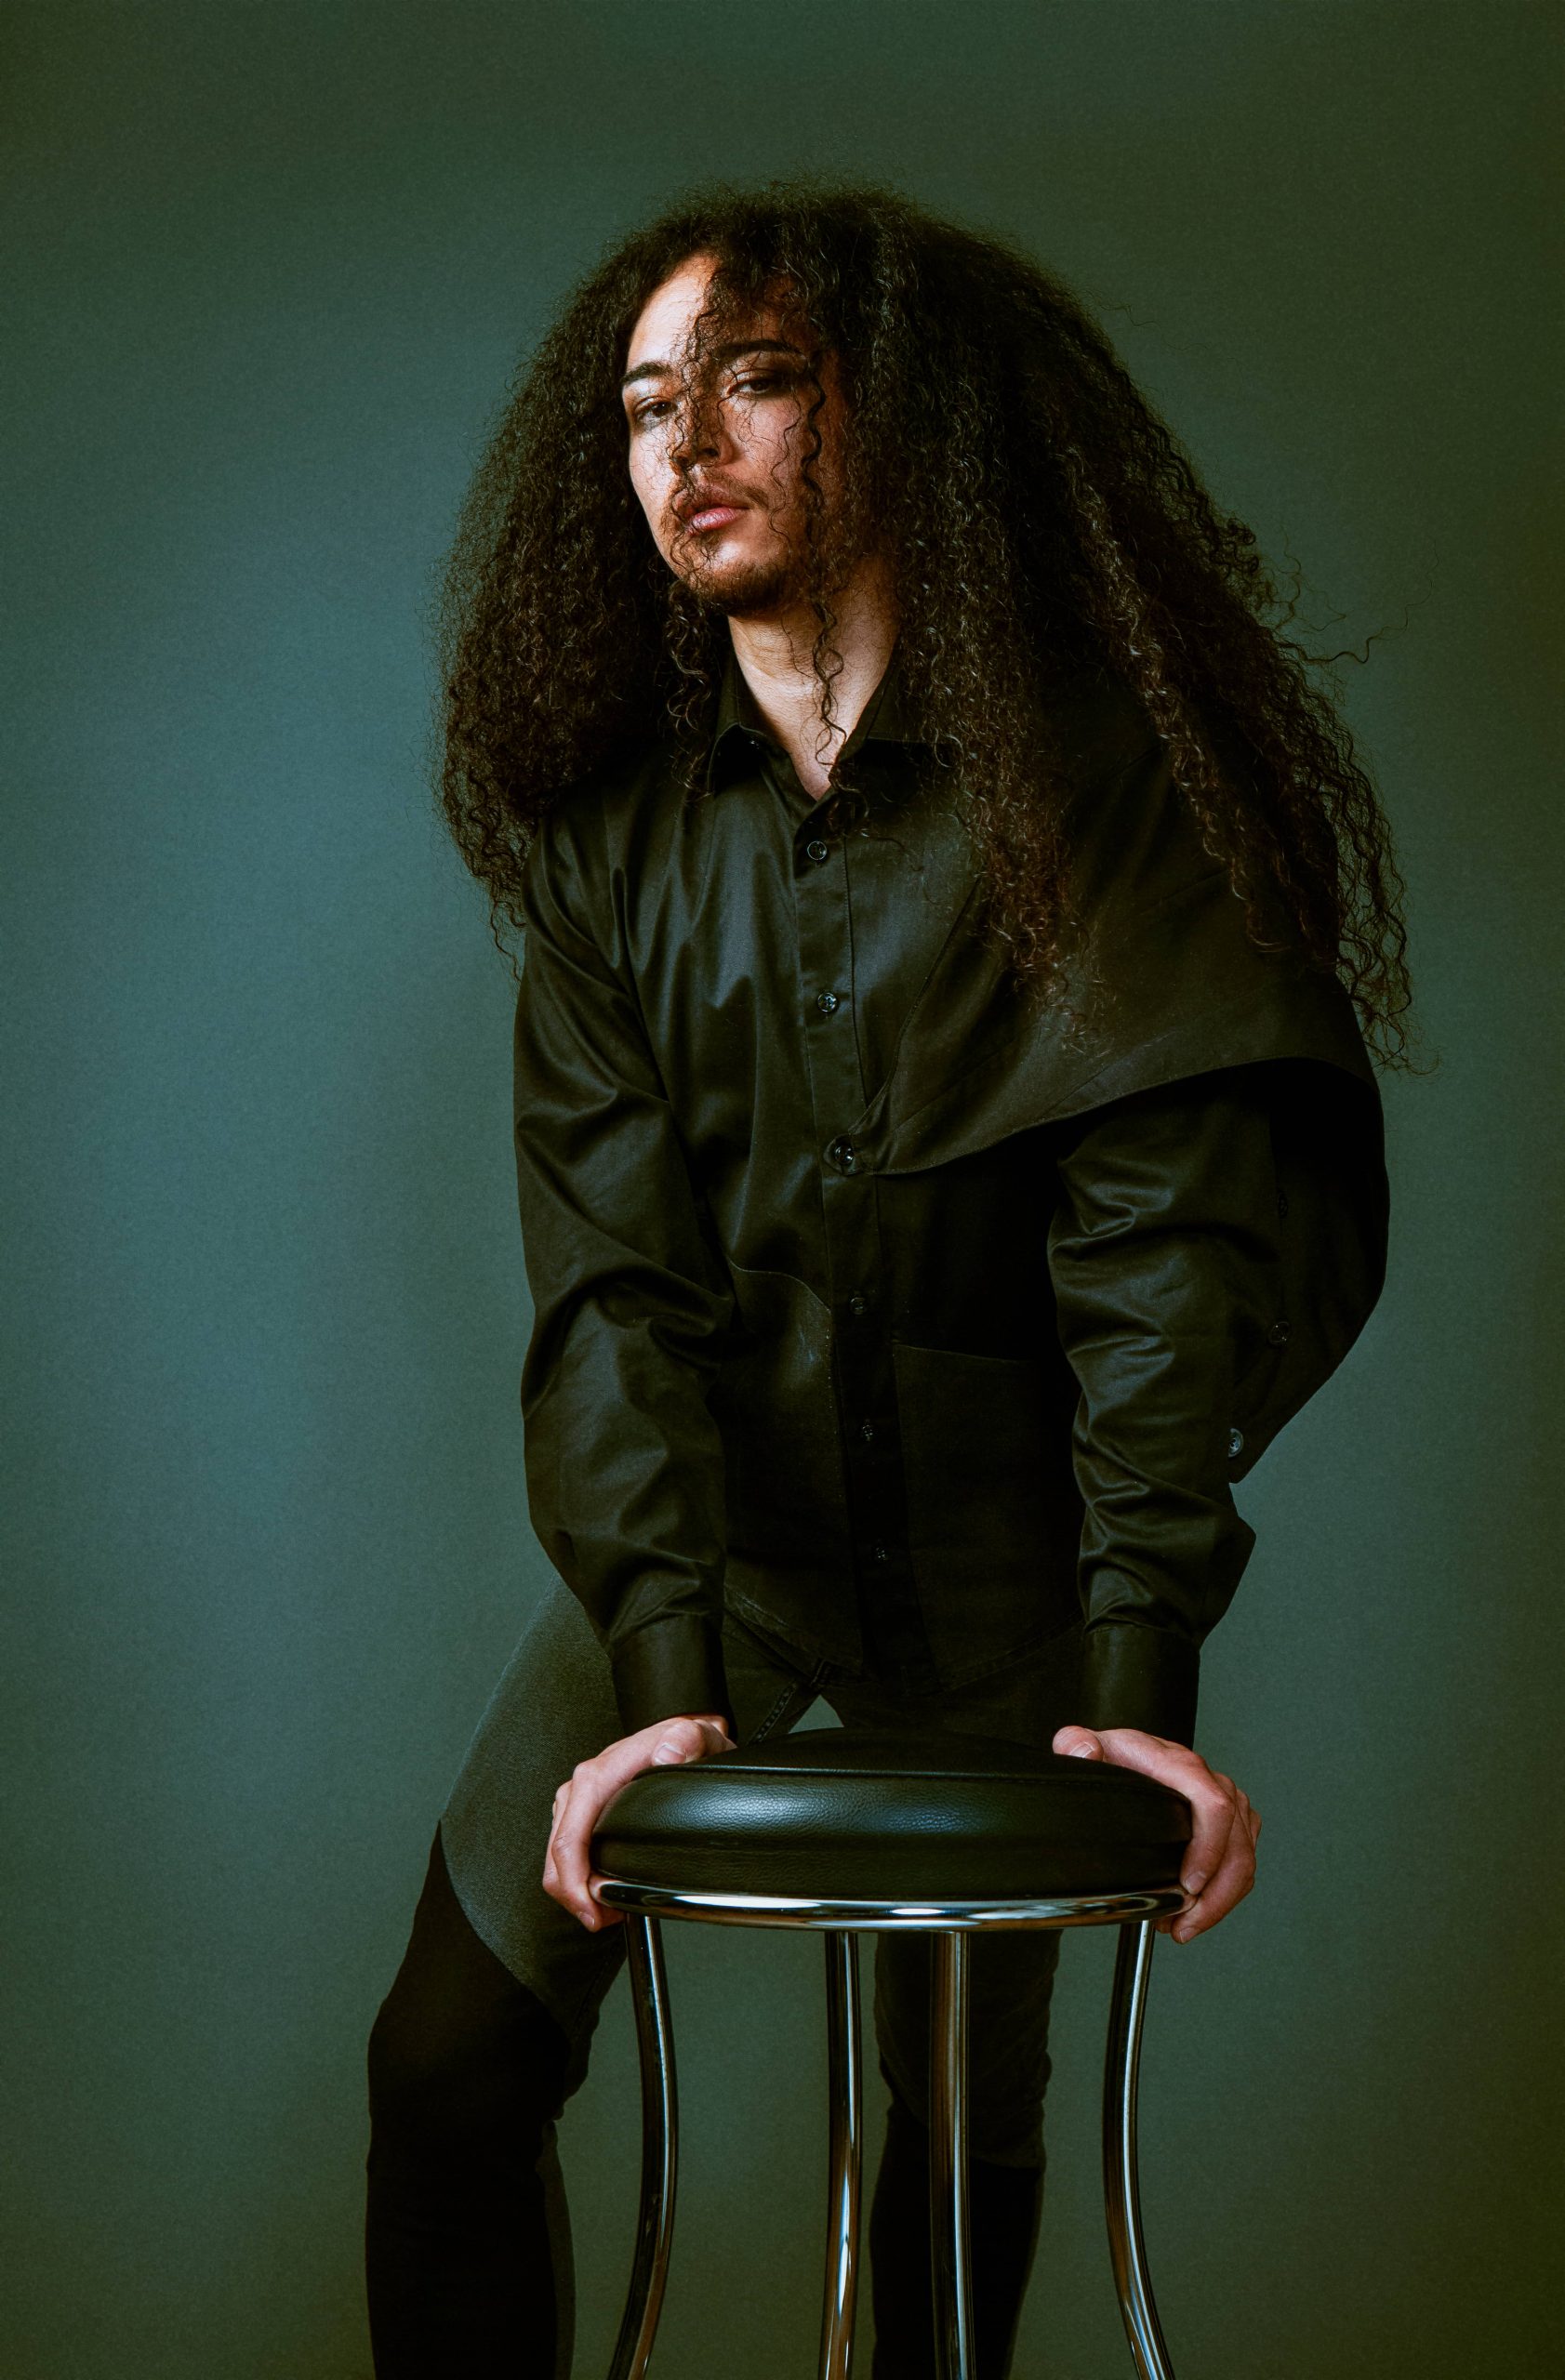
(1037,518)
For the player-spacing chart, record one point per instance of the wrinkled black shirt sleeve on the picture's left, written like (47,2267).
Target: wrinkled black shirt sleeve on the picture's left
(630,1310)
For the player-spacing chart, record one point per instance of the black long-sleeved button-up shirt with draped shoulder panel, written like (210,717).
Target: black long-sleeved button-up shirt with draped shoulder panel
(863,1298)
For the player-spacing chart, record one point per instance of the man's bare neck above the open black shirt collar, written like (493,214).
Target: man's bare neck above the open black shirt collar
(773,653)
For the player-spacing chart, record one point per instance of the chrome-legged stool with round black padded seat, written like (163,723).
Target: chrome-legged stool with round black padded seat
(866,1834)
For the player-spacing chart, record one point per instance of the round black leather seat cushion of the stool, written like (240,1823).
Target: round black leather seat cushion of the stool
(840,1815)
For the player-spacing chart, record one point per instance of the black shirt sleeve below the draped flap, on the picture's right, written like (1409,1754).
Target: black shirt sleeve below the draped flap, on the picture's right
(1168,1279)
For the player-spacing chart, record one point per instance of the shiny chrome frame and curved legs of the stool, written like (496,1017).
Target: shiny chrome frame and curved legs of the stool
(842,1922)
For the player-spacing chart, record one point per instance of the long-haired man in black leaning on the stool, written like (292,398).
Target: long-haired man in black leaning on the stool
(947,1144)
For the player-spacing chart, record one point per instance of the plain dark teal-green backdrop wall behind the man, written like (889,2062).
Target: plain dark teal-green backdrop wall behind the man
(270,1548)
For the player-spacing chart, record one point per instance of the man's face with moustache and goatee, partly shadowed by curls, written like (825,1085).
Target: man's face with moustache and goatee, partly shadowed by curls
(718,444)
